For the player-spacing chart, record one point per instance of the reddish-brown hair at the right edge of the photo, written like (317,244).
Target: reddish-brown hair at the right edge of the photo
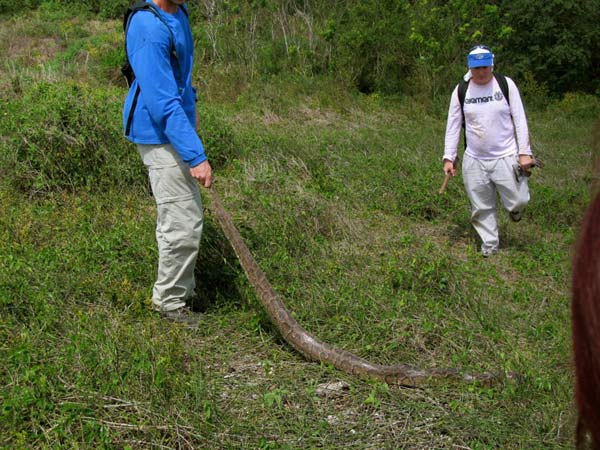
(585,309)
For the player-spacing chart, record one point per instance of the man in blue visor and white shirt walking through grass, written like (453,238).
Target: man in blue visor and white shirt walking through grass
(497,152)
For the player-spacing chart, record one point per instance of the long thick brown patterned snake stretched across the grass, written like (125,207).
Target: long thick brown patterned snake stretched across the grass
(312,348)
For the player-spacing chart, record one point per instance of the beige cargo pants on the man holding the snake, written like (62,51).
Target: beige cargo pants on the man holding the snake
(178,225)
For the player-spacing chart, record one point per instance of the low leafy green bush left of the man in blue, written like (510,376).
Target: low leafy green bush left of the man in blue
(65,136)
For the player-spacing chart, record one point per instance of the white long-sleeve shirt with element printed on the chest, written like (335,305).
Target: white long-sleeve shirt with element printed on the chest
(491,124)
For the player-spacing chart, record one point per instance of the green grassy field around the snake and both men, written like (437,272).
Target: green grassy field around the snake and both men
(336,196)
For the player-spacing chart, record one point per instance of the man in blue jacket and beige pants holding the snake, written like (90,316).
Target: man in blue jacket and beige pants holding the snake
(160,117)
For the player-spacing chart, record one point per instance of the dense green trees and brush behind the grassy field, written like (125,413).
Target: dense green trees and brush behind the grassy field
(388,46)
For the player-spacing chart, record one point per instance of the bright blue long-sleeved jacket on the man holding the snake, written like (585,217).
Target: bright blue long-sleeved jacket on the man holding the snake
(165,111)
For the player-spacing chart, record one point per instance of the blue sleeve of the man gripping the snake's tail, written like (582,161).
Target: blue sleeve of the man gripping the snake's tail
(151,61)
